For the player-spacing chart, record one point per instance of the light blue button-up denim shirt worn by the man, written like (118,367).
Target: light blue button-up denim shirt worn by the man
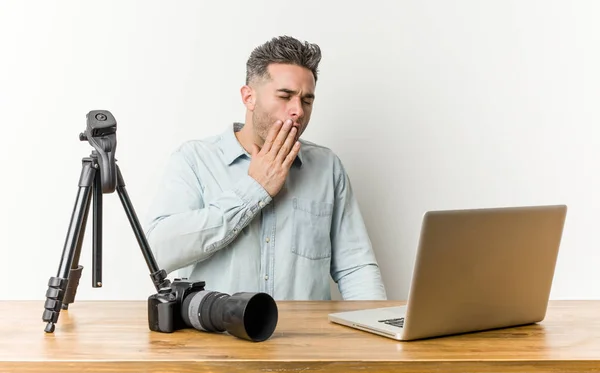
(217,223)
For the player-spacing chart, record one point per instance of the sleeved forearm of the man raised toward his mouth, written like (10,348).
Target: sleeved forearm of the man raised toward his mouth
(184,238)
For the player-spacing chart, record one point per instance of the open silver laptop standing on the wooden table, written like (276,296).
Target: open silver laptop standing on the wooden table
(475,270)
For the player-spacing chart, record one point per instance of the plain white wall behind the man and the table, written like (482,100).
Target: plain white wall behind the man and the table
(430,104)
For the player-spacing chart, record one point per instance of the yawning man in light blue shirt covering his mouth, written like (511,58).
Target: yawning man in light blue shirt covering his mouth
(256,208)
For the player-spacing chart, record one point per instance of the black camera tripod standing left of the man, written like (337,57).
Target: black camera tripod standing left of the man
(99,174)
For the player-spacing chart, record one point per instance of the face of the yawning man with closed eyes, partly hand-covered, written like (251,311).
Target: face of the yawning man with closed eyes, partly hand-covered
(288,94)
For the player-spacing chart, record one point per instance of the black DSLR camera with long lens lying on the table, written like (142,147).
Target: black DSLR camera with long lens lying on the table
(185,304)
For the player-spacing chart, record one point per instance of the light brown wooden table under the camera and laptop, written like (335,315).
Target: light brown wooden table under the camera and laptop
(113,336)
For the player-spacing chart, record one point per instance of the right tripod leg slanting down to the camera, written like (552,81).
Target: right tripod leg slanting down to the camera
(158,275)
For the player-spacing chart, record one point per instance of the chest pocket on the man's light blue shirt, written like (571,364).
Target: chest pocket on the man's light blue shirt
(311,226)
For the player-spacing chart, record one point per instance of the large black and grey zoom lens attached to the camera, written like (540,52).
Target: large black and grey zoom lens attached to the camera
(251,316)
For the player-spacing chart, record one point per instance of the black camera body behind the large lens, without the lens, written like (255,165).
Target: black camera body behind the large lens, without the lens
(165,307)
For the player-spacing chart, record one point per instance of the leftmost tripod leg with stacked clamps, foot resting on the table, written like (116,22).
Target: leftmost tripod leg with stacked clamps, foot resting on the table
(57,286)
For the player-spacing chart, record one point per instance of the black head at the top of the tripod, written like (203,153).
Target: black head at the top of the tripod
(101,133)
